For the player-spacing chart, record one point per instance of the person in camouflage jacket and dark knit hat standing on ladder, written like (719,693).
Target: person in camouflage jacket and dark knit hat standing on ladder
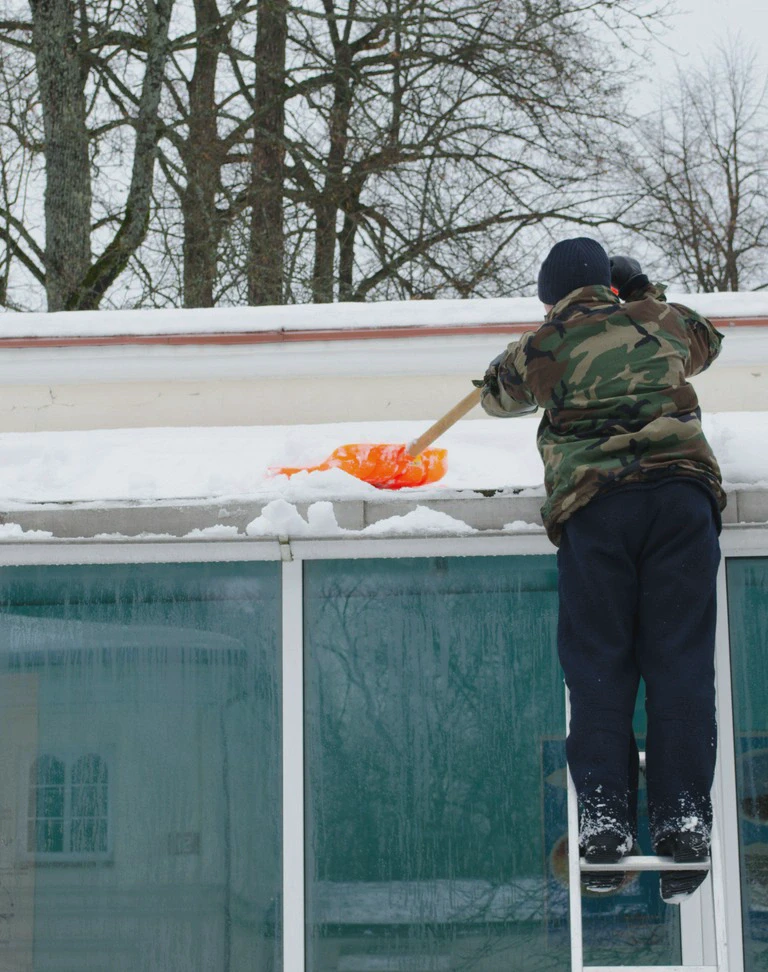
(633,502)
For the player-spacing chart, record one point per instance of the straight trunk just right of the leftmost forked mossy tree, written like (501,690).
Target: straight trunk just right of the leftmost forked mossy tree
(202,161)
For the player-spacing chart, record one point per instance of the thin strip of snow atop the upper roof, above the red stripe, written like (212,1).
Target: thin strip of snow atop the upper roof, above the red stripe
(323,317)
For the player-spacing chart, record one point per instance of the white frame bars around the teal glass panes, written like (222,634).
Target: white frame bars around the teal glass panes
(736,541)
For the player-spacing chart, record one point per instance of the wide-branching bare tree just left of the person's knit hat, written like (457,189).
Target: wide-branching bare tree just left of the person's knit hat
(437,126)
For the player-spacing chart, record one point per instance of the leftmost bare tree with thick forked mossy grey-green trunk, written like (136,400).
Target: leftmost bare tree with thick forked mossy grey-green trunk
(74,48)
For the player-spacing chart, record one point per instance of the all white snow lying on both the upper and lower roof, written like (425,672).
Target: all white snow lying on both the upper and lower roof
(197,465)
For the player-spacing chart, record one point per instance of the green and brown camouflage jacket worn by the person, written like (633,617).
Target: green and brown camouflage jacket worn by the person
(611,378)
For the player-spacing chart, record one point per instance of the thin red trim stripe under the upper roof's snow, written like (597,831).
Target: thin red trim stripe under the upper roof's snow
(290,336)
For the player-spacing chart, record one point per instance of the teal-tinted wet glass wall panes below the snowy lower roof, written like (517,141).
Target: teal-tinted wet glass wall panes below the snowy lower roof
(140,811)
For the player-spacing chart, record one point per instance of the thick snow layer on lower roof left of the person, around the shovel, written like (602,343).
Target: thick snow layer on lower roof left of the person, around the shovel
(200,464)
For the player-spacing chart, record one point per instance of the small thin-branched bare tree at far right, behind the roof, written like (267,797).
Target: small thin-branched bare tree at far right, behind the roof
(702,176)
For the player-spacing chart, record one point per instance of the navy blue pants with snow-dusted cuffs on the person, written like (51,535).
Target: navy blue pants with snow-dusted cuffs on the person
(637,585)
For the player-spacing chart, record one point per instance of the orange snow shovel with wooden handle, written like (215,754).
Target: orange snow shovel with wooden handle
(391,466)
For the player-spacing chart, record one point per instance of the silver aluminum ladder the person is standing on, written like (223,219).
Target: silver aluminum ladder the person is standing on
(637,863)
